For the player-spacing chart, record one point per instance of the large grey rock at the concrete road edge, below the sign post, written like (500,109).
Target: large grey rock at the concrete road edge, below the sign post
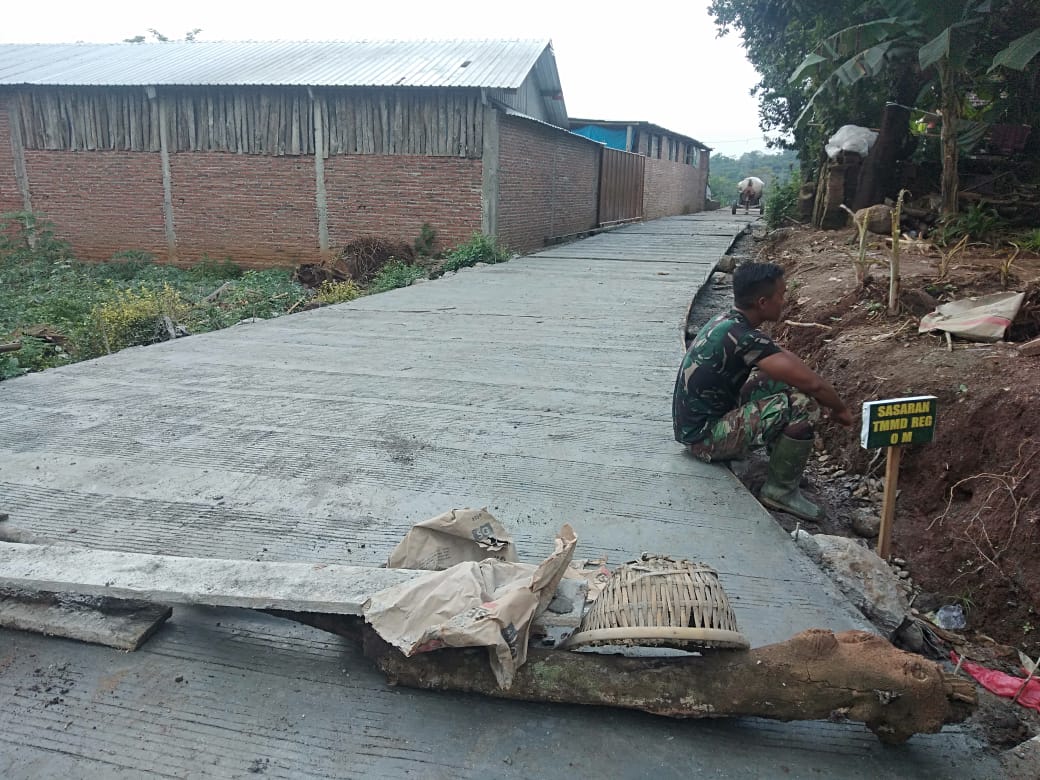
(865,579)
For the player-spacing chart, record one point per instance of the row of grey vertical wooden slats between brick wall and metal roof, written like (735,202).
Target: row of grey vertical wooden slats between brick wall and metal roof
(264,121)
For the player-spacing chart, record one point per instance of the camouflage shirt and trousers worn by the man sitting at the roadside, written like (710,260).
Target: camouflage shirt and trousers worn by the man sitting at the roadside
(716,410)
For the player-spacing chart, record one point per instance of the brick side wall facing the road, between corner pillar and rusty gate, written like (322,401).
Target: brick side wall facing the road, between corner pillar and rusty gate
(549,184)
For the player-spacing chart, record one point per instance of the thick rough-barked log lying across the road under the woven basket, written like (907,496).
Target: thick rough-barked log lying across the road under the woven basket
(816,675)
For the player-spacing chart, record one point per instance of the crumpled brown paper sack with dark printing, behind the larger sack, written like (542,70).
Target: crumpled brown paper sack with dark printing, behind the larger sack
(451,539)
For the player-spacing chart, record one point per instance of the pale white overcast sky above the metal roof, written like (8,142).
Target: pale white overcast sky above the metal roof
(656,62)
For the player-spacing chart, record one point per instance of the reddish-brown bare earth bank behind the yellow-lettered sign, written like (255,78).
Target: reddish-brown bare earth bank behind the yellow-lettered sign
(968,519)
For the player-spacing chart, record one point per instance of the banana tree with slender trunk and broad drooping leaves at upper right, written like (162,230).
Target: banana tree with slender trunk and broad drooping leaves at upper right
(921,35)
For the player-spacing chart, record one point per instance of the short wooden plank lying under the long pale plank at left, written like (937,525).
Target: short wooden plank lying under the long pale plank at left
(119,623)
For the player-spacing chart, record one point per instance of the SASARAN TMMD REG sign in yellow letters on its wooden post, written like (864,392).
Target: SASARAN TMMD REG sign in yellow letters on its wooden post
(895,424)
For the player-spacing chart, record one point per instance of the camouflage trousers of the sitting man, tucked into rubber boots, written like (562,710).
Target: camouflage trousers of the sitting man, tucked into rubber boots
(767,408)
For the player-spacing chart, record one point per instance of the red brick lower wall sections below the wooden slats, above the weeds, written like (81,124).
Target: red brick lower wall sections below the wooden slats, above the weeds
(258,212)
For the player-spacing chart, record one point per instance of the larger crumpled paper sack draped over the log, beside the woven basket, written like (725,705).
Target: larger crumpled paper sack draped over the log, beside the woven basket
(489,604)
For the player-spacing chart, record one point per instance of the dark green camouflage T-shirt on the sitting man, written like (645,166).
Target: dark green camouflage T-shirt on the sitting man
(714,371)
